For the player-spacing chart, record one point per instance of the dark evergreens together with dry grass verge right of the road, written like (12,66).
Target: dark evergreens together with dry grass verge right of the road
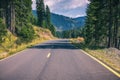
(102,32)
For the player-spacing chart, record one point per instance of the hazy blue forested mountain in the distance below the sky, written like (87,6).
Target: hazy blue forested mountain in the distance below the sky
(63,23)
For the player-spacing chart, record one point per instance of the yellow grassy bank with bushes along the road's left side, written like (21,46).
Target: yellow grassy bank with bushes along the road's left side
(9,46)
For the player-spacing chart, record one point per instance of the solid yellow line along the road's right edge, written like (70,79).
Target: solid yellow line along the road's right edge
(107,67)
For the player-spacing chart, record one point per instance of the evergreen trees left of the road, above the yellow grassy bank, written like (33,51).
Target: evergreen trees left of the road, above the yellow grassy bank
(16,16)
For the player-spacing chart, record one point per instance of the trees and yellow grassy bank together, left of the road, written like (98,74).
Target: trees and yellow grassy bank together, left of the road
(19,29)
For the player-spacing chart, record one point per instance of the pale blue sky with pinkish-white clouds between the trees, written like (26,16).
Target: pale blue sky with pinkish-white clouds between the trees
(70,8)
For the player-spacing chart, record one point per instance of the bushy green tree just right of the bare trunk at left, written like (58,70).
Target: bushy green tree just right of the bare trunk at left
(23,19)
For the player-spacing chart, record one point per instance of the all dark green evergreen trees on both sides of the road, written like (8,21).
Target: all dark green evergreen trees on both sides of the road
(102,27)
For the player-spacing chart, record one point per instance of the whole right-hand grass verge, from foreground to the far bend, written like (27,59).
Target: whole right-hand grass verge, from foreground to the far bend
(110,57)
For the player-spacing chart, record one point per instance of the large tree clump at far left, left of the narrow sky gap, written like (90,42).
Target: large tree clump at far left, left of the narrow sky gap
(16,16)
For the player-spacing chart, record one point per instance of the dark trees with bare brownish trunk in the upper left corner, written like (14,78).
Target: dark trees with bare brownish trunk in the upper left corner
(7,12)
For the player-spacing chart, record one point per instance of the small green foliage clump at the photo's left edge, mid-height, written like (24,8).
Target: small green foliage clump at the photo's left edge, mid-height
(3,30)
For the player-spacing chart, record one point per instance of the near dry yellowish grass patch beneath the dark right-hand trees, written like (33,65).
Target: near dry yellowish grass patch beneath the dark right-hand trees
(111,57)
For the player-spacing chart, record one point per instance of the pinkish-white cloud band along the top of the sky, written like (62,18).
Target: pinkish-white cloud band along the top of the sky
(69,4)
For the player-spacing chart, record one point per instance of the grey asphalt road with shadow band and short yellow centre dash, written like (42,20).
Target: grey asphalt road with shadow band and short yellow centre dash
(53,60)
